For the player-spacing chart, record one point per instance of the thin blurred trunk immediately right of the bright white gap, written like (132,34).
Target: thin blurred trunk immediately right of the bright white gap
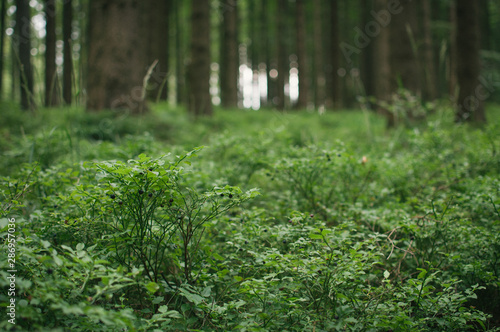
(302,55)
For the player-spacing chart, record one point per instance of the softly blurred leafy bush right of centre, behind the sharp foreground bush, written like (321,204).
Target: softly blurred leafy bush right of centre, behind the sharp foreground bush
(324,181)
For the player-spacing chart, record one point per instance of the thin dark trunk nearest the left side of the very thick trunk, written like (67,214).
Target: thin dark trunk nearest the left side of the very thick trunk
(67,52)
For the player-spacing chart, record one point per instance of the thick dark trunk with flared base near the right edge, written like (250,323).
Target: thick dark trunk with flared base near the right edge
(470,106)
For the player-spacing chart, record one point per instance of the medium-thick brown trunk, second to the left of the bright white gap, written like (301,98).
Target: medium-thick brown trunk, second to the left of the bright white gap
(199,69)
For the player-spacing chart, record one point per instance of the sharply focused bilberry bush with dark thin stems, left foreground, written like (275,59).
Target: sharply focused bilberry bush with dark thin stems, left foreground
(153,219)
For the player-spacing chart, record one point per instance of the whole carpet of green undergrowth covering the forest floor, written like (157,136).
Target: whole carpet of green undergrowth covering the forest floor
(249,221)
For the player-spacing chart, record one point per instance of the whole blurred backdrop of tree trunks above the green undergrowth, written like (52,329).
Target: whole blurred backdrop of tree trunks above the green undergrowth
(280,54)
